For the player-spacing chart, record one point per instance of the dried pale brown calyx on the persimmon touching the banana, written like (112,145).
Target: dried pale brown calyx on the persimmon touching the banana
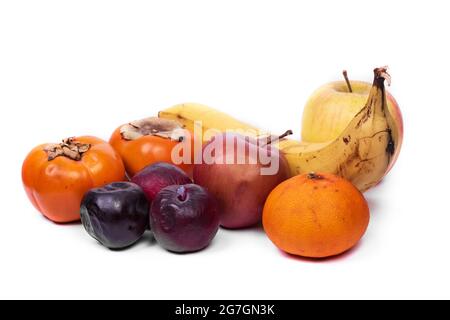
(164,128)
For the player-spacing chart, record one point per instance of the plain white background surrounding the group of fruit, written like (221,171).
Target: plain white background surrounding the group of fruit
(85,67)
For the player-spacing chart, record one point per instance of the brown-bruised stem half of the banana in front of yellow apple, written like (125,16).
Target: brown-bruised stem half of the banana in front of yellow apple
(363,153)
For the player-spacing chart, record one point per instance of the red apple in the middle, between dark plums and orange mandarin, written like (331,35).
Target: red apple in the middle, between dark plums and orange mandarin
(240,172)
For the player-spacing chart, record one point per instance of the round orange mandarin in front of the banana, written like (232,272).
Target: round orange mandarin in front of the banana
(315,215)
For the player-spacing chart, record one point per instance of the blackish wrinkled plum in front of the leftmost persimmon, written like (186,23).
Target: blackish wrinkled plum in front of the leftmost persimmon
(116,214)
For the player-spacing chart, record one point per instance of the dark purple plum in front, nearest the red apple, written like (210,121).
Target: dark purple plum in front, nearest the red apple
(184,218)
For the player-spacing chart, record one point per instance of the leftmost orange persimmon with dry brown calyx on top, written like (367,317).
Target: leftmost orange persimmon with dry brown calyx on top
(56,176)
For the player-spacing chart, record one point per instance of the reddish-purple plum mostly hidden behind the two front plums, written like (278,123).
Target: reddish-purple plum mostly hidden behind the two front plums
(157,176)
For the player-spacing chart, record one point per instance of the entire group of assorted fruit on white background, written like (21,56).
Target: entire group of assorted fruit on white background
(151,177)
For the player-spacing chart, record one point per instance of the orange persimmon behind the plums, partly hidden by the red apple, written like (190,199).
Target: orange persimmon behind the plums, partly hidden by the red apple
(151,140)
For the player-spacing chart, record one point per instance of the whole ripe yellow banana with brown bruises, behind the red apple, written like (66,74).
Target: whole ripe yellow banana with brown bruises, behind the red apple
(361,154)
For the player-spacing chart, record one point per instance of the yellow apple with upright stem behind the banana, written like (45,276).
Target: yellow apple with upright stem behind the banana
(331,108)
